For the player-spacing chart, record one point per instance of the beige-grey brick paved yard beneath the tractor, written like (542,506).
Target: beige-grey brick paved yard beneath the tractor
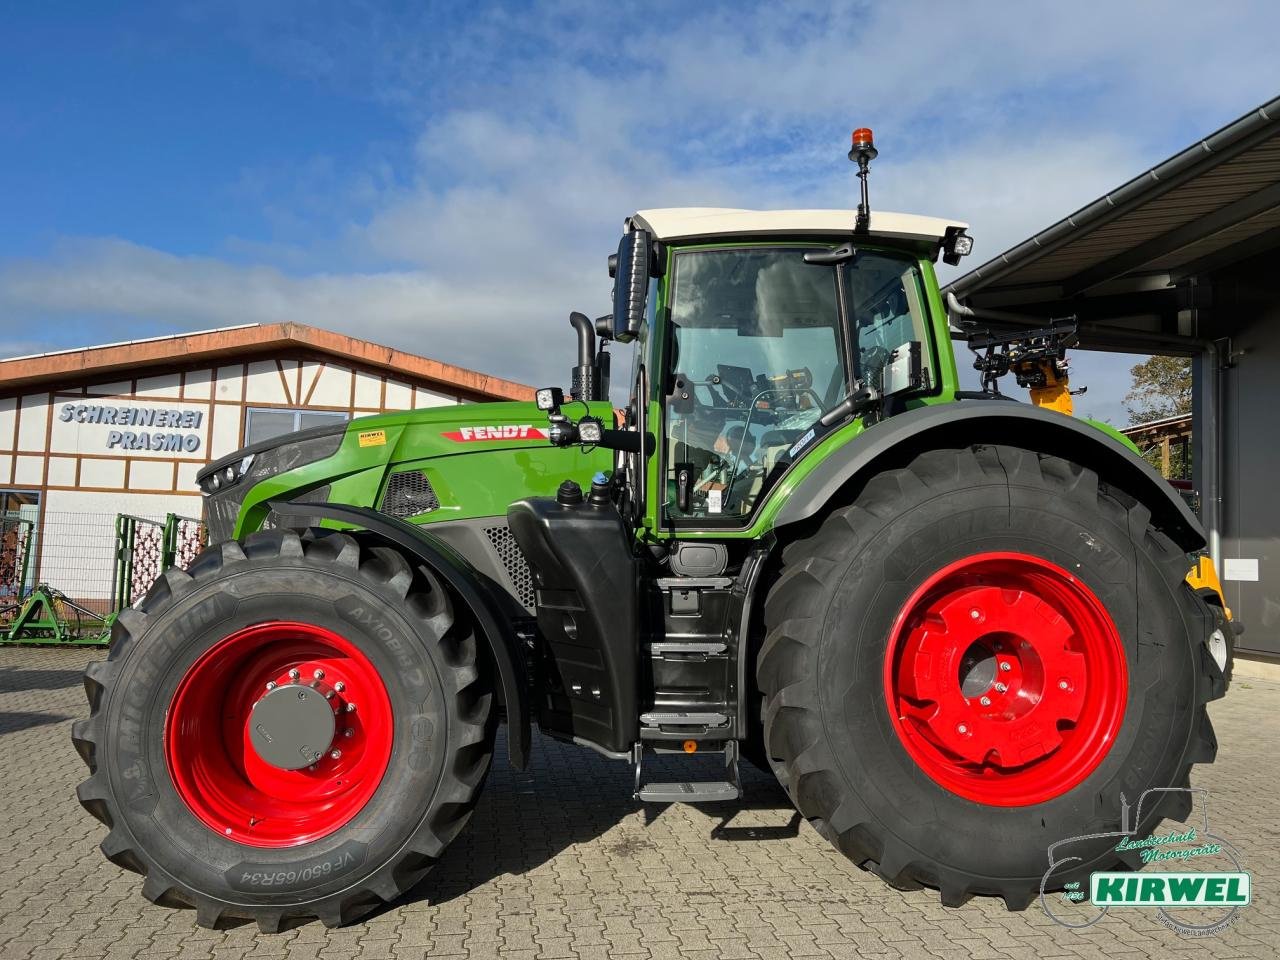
(561,863)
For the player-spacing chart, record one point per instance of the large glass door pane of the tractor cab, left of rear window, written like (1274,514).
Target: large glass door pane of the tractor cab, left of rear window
(757,342)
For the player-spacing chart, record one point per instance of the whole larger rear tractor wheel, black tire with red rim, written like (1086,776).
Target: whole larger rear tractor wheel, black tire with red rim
(972,662)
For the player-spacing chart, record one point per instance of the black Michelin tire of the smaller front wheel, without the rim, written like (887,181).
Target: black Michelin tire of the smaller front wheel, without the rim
(438,685)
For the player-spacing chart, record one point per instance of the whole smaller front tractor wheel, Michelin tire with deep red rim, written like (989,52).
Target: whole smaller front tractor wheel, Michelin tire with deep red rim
(292,729)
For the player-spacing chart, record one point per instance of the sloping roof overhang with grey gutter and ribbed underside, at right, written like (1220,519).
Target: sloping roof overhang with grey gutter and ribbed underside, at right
(1218,200)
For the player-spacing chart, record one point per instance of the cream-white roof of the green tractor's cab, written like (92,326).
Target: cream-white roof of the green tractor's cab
(705,222)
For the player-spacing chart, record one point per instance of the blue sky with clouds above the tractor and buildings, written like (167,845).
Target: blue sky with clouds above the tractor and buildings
(449,177)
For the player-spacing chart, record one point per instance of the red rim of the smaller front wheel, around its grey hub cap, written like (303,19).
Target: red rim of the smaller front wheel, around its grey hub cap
(213,762)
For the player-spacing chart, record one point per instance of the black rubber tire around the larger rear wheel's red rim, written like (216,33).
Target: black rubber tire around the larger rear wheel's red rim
(829,619)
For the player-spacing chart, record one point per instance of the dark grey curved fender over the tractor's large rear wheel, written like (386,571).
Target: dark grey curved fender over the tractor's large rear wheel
(894,442)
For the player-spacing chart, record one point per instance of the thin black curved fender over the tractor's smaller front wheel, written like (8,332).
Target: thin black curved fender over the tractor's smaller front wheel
(465,582)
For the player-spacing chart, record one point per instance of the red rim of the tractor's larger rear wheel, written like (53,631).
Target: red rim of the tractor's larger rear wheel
(1005,679)
